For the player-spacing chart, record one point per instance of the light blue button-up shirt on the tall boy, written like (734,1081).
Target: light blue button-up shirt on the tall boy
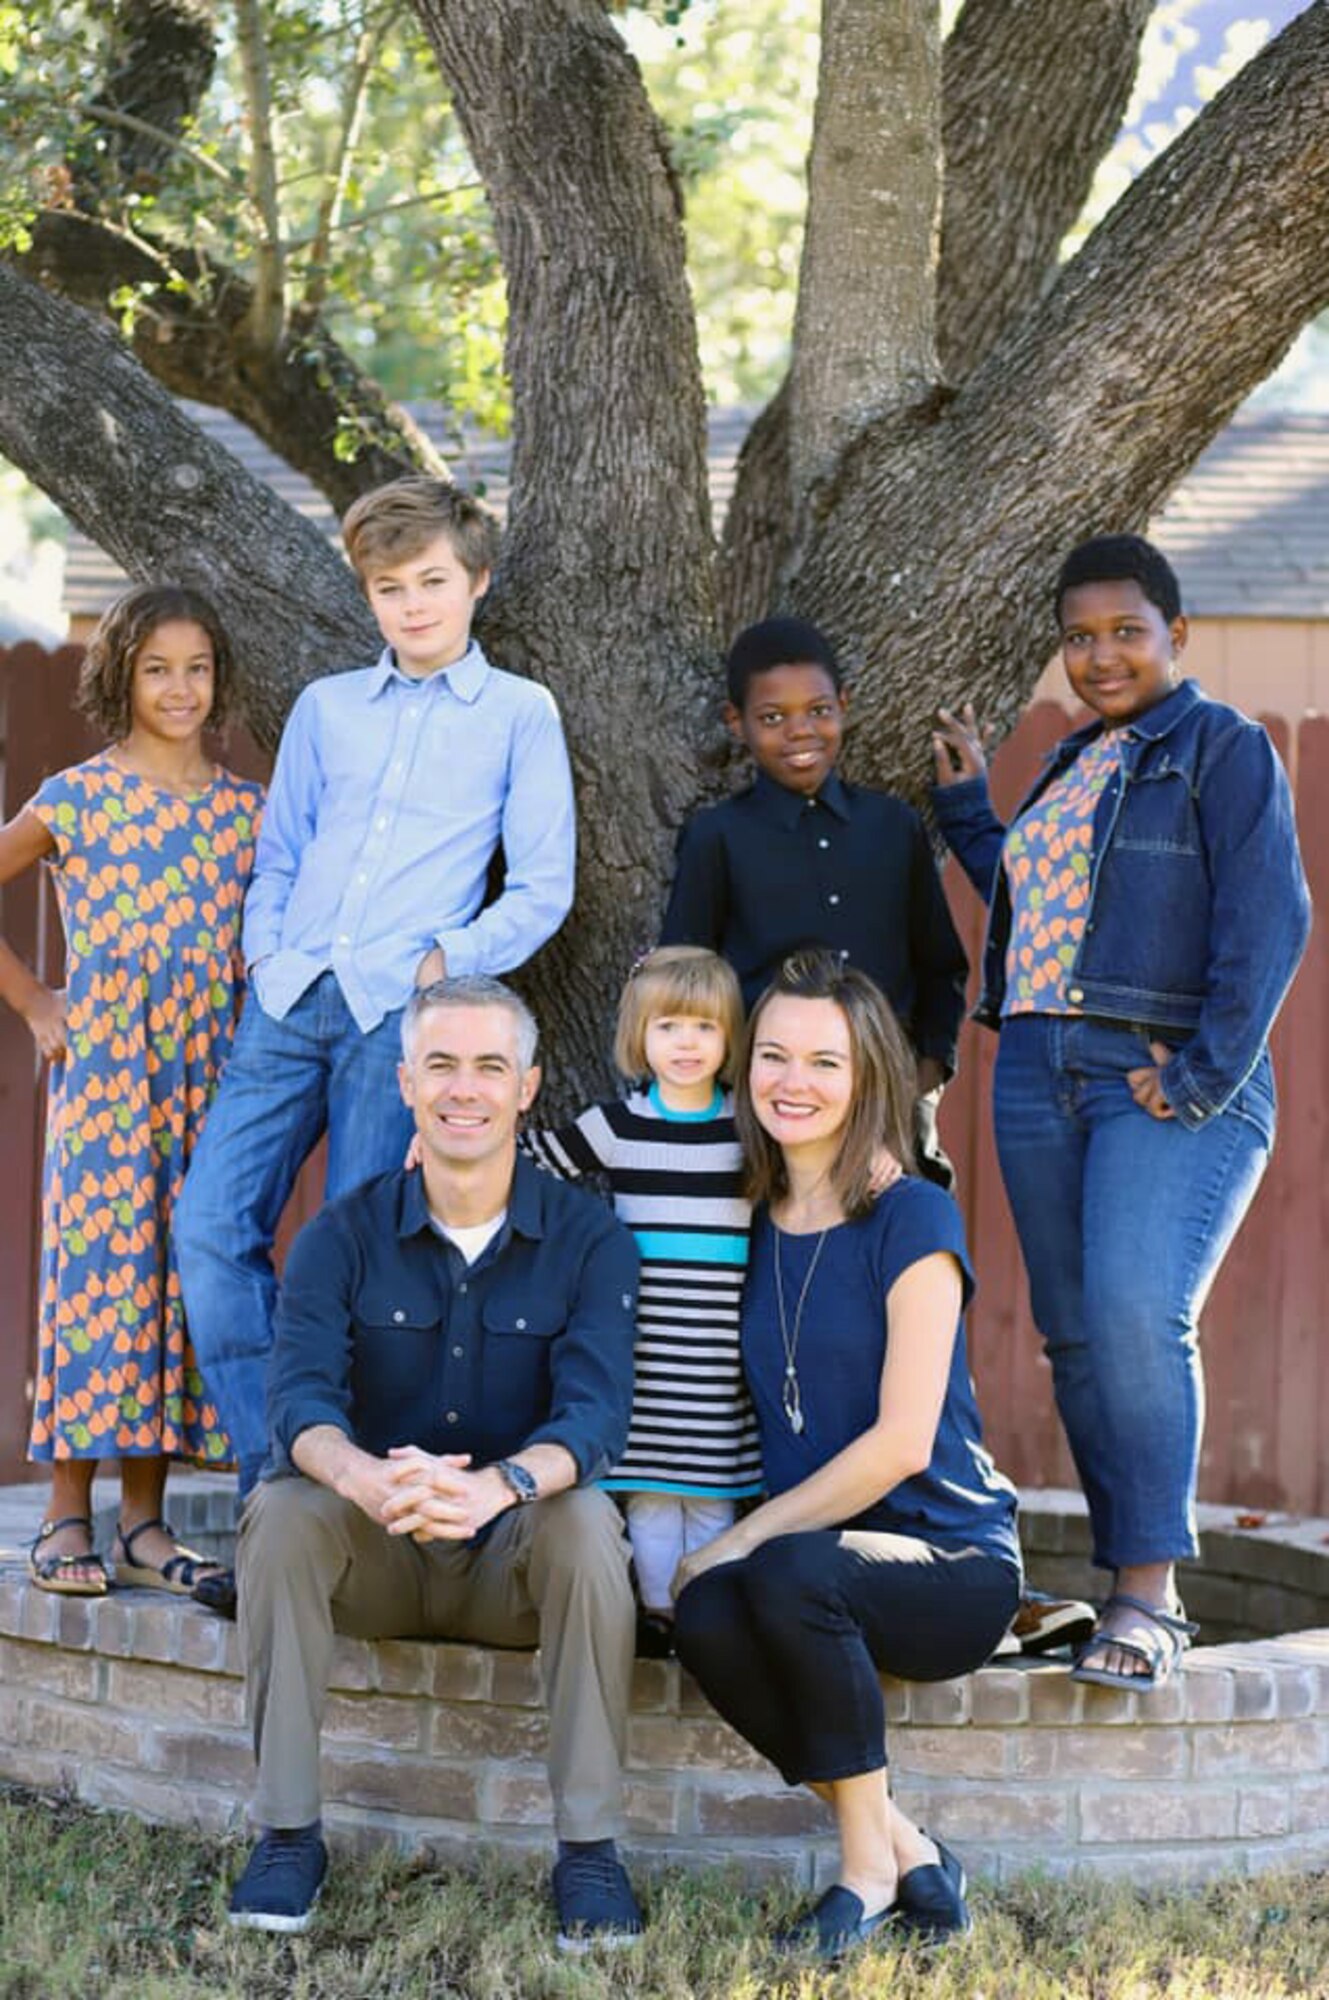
(387,805)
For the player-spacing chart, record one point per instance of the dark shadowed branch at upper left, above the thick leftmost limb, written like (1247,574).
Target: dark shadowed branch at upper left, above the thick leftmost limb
(299,401)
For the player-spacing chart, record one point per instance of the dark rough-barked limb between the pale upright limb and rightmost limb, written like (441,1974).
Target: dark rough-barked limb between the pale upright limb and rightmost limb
(1034,99)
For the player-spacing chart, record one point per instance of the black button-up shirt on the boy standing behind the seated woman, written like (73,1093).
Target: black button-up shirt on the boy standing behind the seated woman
(774,873)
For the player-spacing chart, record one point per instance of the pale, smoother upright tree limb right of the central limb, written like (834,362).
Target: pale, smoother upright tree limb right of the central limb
(864,331)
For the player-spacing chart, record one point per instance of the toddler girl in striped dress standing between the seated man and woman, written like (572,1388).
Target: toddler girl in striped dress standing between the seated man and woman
(674,1167)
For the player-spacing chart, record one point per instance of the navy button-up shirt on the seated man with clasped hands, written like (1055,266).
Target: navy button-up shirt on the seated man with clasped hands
(389,1335)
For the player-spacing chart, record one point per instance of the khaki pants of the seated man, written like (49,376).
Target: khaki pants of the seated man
(553,1575)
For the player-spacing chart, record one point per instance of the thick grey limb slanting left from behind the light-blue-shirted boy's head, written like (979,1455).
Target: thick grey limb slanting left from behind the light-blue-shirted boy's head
(117,455)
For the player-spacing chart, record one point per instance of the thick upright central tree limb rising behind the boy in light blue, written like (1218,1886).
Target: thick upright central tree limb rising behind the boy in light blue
(605,589)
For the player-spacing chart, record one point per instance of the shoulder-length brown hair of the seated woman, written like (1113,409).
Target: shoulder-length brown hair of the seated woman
(882,1109)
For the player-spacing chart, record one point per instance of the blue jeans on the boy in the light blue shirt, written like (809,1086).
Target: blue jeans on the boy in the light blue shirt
(287,1083)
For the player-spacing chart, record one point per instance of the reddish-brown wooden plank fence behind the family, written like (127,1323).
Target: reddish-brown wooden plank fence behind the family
(1268,1321)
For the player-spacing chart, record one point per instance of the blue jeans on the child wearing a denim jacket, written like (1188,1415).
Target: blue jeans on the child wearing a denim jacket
(1124,1223)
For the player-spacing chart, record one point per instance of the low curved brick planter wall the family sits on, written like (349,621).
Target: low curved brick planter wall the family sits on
(137,1703)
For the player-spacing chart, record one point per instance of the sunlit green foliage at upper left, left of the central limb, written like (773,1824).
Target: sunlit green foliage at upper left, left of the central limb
(389,237)
